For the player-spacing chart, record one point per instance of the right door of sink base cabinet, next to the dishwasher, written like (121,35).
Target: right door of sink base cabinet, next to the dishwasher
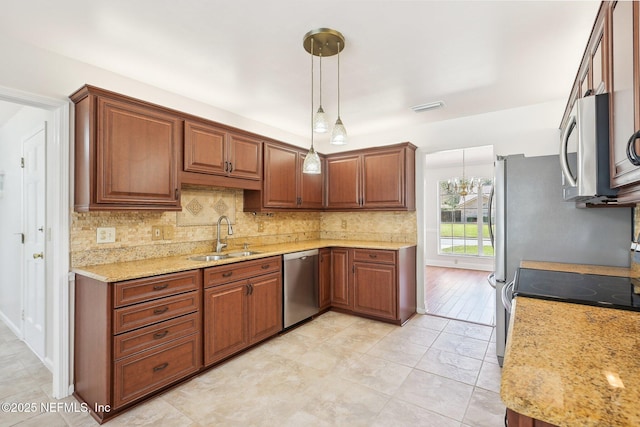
(265,306)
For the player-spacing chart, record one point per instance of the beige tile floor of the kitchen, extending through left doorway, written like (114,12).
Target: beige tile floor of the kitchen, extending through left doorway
(337,370)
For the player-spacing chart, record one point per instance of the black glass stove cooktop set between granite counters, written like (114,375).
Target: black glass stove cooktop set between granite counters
(590,289)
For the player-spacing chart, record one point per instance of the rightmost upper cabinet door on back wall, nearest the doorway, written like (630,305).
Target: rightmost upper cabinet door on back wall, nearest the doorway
(384,173)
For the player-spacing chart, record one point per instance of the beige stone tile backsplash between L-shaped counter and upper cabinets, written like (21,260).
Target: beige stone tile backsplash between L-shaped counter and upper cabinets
(196,233)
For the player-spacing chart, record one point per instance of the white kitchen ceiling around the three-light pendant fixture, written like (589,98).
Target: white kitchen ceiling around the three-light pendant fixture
(246,57)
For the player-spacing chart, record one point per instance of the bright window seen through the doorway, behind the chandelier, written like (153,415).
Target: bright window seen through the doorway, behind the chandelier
(464,219)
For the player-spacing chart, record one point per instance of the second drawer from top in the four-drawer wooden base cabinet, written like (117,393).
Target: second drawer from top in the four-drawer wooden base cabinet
(139,315)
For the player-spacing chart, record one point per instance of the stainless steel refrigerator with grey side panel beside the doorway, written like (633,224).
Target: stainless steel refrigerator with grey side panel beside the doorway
(532,222)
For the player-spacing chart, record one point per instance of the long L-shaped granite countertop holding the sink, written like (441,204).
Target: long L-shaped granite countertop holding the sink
(151,267)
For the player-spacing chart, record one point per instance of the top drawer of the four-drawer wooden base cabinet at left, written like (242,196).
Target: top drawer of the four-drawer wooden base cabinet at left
(141,290)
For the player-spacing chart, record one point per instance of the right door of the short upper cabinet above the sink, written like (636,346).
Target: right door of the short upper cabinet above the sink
(245,157)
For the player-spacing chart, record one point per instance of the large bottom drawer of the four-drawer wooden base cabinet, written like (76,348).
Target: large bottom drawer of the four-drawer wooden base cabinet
(142,374)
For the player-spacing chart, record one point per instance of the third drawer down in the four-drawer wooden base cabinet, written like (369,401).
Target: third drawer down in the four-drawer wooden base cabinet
(152,336)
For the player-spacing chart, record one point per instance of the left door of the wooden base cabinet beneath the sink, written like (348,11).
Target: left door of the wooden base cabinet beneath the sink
(225,326)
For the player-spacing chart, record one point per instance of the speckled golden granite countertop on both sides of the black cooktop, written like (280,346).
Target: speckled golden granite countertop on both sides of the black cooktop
(571,364)
